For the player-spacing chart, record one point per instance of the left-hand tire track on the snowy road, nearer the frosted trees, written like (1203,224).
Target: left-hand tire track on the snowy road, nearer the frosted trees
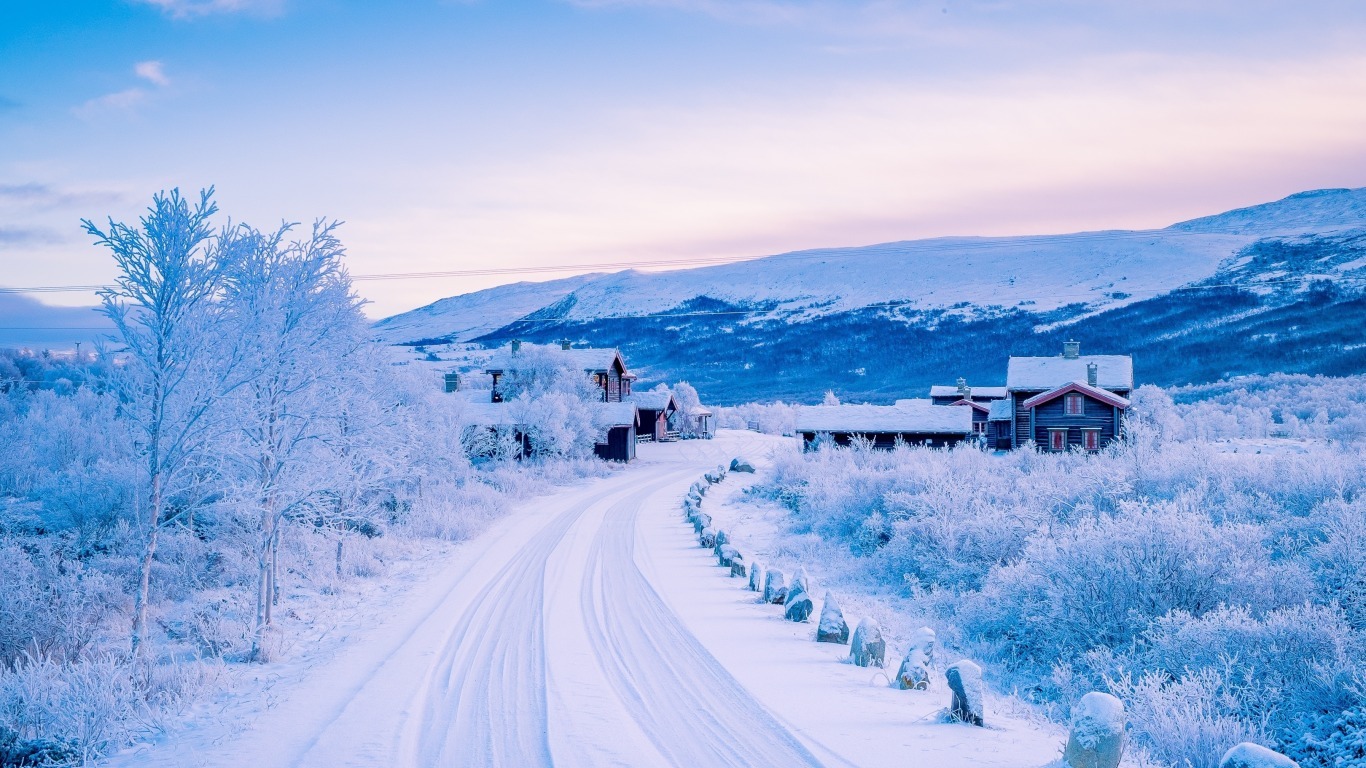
(484,703)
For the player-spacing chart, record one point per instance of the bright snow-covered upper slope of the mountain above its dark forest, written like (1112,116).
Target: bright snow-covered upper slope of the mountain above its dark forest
(1042,274)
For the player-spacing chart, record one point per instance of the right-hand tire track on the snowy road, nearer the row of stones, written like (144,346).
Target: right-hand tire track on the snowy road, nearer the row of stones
(688,704)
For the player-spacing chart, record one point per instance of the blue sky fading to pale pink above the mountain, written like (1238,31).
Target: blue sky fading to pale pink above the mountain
(462,135)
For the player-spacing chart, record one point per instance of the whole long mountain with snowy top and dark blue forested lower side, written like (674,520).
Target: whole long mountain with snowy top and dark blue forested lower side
(1277,286)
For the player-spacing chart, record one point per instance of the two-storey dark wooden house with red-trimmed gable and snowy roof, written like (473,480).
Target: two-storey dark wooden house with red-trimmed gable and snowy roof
(1068,402)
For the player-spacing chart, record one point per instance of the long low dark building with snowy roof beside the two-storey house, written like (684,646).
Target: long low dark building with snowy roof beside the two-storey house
(886,427)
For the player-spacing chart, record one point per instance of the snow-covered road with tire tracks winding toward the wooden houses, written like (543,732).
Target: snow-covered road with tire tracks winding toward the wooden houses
(558,640)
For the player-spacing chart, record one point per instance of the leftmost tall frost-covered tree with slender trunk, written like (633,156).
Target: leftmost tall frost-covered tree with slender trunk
(177,366)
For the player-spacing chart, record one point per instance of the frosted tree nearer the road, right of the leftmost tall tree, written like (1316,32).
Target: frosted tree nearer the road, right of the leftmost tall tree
(292,307)
